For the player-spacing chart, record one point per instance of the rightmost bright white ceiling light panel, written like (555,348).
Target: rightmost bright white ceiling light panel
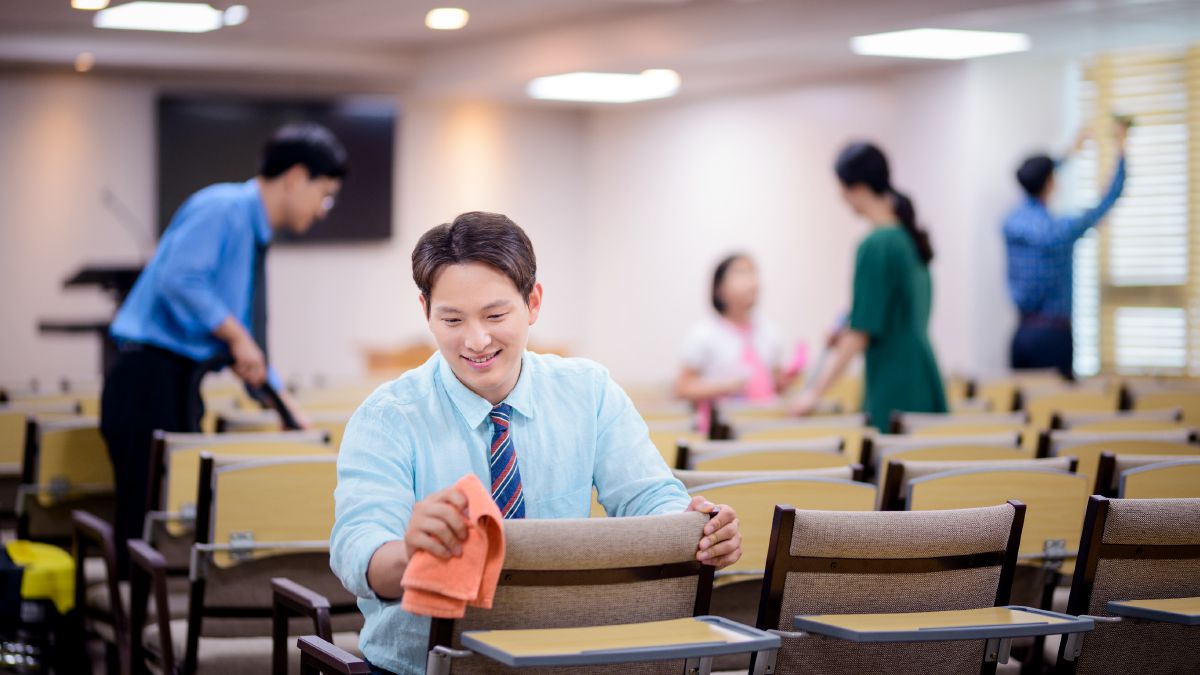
(940,44)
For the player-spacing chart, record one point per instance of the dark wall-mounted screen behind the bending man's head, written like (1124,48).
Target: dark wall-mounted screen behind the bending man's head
(205,140)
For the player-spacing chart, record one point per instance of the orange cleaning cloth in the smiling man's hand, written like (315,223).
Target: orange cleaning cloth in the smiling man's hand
(445,588)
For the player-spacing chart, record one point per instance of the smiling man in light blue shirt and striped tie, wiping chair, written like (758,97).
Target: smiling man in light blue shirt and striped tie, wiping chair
(541,431)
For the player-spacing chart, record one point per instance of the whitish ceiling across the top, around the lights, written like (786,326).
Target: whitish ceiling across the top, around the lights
(716,45)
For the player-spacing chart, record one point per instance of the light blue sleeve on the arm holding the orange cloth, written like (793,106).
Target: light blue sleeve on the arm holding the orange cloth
(375,494)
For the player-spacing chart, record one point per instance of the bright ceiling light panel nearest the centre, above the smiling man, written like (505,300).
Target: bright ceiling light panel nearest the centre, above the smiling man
(605,87)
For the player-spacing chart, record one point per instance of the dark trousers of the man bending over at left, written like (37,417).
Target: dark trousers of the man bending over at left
(148,390)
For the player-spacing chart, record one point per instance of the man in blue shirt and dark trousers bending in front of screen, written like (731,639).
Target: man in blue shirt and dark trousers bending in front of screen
(203,296)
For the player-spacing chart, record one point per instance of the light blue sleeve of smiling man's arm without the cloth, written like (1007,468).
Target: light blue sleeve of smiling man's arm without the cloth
(631,476)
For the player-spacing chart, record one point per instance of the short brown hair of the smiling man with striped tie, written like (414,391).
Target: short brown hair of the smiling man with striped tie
(476,237)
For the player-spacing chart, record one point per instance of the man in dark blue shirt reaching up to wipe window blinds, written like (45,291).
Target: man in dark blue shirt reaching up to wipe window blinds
(1041,249)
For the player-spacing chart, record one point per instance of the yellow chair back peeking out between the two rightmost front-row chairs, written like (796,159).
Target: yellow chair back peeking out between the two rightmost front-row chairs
(1054,503)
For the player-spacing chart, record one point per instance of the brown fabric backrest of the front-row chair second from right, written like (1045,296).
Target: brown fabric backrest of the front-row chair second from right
(851,563)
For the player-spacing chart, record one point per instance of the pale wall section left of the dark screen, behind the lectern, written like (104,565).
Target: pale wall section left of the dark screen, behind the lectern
(64,141)
